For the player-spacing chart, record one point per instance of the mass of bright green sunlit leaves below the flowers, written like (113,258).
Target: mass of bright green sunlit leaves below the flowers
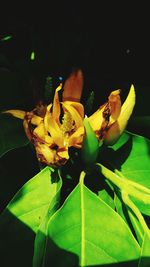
(81,229)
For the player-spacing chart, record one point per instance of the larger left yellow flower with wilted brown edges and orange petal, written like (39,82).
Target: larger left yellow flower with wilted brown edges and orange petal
(56,127)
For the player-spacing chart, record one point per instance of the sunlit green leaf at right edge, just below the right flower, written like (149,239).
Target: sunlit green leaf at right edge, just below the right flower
(133,158)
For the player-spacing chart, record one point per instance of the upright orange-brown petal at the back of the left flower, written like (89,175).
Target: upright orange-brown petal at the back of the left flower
(73,87)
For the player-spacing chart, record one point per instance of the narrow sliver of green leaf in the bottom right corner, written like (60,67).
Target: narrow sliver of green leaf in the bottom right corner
(145,252)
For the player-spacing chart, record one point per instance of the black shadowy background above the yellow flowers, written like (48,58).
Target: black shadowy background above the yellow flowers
(108,40)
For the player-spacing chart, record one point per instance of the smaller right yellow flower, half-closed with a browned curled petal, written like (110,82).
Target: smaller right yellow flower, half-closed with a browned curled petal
(111,119)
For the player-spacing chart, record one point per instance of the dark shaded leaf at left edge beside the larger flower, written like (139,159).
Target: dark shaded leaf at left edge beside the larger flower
(12,134)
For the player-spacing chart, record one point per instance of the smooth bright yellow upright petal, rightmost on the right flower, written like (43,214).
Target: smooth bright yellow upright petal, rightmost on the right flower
(117,128)
